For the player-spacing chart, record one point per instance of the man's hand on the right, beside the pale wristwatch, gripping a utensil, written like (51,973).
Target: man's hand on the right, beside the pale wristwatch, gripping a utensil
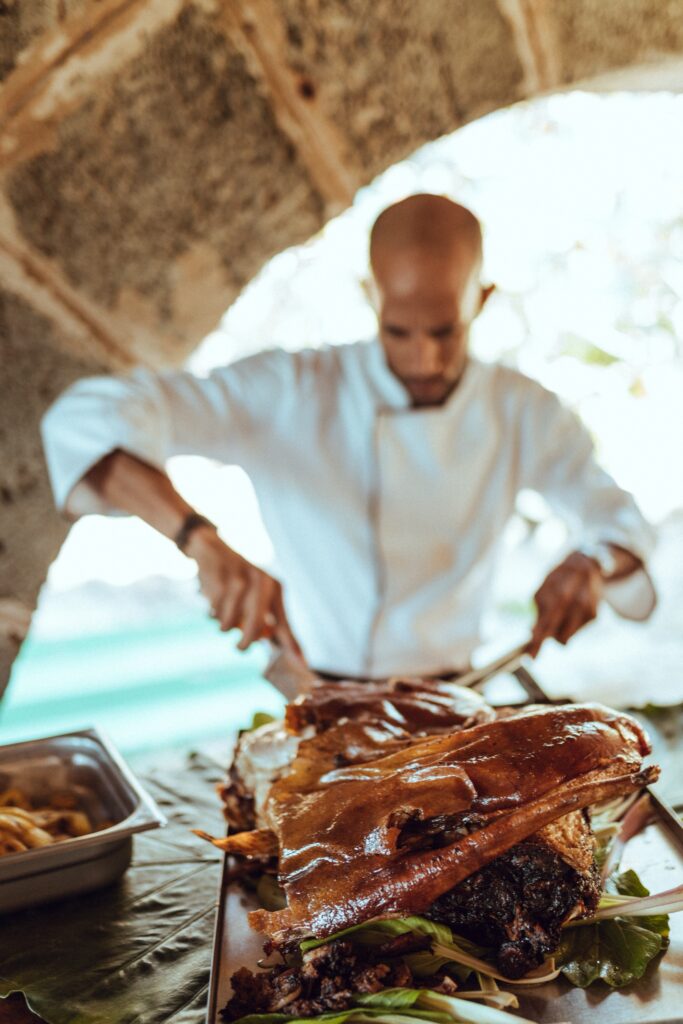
(567,601)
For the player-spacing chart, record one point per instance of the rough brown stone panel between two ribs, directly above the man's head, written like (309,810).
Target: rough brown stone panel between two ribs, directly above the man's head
(411,72)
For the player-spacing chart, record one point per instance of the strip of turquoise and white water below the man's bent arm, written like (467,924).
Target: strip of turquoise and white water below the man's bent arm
(157,687)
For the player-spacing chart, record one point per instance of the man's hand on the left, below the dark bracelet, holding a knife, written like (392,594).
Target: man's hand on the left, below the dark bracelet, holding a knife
(241,595)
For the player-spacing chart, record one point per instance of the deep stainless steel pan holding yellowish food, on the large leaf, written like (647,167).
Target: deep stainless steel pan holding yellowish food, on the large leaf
(87,764)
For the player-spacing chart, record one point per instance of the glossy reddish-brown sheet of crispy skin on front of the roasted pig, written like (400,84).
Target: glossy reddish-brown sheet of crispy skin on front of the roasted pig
(339,828)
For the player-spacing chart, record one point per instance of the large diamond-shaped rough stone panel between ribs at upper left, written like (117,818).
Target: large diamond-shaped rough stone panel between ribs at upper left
(184,157)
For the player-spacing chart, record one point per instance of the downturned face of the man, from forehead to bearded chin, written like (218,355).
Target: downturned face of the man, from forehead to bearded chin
(426,306)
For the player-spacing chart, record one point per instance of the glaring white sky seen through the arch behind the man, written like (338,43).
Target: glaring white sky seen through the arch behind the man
(581,200)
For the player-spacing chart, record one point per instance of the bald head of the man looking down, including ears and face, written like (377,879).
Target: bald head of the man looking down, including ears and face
(425,254)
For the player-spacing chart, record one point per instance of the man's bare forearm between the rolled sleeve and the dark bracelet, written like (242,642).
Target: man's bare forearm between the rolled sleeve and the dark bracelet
(126,484)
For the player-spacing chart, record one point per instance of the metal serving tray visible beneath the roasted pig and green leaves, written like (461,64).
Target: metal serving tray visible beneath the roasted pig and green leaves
(657,856)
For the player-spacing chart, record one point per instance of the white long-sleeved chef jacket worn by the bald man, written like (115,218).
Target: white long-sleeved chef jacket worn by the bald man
(386,520)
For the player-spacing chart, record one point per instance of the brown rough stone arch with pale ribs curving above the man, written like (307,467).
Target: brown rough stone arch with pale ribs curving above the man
(155,154)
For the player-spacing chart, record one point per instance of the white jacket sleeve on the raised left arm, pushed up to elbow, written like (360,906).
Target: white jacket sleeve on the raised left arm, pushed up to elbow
(156,416)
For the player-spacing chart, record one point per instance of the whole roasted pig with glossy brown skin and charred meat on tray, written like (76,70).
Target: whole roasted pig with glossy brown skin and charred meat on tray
(413,798)
